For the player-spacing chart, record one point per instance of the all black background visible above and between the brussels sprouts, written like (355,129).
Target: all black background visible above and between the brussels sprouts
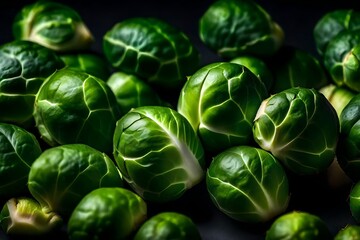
(297,18)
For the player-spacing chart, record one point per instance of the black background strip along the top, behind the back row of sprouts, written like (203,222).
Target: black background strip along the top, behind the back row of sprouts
(296,17)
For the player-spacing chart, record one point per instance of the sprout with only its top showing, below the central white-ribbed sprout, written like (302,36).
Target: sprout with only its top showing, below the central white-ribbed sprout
(168,226)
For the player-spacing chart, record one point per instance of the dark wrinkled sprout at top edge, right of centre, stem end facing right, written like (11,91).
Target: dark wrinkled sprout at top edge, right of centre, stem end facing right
(235,27)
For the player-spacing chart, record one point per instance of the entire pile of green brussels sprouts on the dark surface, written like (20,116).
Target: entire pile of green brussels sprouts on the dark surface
(91,142)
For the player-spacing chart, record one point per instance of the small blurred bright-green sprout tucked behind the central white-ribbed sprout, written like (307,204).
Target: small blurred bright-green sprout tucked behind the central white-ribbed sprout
(131,91)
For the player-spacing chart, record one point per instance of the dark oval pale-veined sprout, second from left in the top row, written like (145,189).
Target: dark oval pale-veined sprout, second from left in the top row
(152,49)
